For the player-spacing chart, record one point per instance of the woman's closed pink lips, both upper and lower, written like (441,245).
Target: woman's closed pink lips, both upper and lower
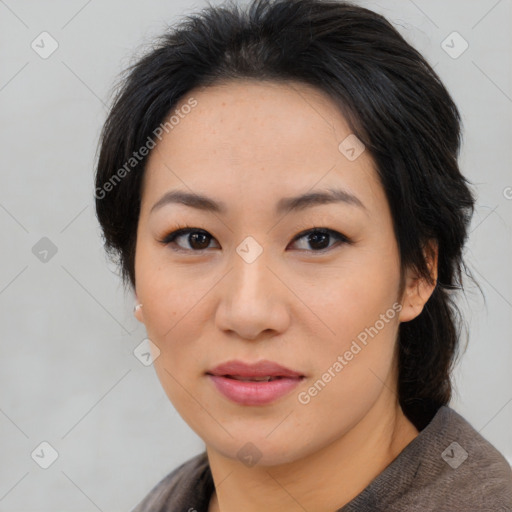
(253,393)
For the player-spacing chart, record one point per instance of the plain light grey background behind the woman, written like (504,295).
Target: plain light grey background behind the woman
(68,373)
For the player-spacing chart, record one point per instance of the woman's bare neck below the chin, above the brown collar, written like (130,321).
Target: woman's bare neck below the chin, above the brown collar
(324,480)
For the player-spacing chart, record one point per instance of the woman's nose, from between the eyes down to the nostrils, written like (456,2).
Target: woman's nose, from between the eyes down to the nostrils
(253,301)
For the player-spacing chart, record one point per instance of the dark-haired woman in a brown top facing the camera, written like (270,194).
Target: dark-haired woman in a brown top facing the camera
(281,188)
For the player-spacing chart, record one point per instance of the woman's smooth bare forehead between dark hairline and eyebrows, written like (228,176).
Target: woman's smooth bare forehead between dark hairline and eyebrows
(268,139)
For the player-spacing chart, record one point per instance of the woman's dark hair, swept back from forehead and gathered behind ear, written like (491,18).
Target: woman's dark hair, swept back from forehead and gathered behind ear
(393,101)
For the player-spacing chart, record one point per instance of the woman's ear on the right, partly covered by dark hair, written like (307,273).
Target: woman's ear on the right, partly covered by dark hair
(418,290)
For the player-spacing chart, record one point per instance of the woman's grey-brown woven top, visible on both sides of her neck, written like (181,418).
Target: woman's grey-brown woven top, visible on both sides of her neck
(448,467)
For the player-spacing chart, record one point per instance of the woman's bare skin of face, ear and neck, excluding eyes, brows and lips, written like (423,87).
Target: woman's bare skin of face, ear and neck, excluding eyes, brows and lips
(248,144)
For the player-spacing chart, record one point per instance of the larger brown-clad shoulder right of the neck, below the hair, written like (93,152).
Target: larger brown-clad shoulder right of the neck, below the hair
(448,467)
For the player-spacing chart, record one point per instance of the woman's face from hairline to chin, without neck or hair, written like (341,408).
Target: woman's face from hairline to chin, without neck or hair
(311,286)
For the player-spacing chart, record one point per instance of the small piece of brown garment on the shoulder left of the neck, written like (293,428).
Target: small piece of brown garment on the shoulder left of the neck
(184,488)
